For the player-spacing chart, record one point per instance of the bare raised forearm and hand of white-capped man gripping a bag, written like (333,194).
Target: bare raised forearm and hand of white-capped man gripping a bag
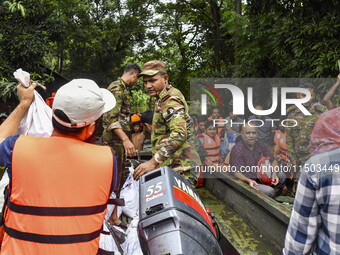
(10,126)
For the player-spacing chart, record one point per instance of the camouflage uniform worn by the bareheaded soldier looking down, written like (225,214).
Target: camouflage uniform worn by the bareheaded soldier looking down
(118,117)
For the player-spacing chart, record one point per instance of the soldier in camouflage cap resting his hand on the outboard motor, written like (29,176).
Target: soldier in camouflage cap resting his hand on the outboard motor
(171,130)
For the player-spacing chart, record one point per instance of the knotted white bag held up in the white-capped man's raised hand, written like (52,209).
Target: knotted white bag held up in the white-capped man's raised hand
(38,120)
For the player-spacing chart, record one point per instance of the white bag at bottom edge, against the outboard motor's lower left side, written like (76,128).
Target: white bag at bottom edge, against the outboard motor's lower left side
(131,246)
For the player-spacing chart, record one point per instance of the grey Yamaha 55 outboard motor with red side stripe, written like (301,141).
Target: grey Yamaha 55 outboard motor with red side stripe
(172,217)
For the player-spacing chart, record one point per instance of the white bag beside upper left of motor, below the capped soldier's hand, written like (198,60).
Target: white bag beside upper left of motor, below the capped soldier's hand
(130,193)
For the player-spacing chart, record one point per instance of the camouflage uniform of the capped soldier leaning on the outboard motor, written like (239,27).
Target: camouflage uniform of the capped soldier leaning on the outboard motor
(171,132)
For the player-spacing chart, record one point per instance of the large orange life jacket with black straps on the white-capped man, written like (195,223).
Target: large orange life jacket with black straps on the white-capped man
(57,203)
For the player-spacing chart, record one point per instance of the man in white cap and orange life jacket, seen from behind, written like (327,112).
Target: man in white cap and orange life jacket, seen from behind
(59,186)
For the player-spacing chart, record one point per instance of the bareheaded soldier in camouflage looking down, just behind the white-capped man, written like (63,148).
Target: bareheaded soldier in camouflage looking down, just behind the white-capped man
(116,125)
